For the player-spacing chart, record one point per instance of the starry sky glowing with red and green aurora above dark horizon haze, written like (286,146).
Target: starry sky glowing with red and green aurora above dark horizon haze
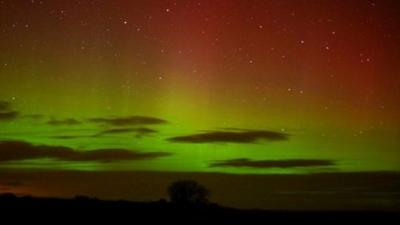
(232,87)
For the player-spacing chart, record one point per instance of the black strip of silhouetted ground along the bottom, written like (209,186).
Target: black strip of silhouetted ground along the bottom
(81,209)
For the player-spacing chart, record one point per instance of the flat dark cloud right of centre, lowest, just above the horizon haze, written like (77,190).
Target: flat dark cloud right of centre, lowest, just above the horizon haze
(290,163)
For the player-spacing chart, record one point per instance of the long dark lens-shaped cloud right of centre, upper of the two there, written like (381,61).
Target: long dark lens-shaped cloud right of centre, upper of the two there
(239,136)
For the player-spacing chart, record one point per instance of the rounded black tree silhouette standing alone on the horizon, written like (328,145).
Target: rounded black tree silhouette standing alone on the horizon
(188,192)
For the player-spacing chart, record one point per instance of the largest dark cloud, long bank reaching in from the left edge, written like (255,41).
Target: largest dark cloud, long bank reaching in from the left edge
(18,150)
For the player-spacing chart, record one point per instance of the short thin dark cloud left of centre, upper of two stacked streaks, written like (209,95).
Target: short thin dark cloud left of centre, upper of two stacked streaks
(129,121)
